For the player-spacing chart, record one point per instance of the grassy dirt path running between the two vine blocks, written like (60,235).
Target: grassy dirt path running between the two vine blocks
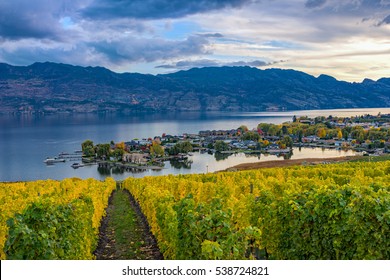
(124,232)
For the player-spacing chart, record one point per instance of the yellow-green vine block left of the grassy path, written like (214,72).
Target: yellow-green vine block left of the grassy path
(52,219)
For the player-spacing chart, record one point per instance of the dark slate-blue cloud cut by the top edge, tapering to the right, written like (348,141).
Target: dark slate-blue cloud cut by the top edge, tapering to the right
(155,9)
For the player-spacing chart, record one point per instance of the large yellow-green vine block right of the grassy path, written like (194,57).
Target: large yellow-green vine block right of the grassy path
(339,211)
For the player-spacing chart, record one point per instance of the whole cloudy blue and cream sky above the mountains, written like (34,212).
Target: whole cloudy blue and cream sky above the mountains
(347,39)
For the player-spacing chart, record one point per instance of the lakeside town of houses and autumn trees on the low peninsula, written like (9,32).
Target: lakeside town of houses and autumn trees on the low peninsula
(367,134)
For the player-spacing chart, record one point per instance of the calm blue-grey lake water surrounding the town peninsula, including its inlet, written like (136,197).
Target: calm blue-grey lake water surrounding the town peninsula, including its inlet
(26,140)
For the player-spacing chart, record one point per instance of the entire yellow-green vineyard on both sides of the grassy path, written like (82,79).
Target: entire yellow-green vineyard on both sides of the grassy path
(334,211)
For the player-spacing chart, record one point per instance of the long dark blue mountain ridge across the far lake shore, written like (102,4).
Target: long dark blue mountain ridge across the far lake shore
(52,88)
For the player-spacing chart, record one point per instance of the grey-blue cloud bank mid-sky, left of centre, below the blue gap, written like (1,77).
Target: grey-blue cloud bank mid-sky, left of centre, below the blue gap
(149,50)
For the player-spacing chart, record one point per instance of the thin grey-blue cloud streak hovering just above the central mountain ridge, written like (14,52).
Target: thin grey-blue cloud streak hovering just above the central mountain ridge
(187,64)
